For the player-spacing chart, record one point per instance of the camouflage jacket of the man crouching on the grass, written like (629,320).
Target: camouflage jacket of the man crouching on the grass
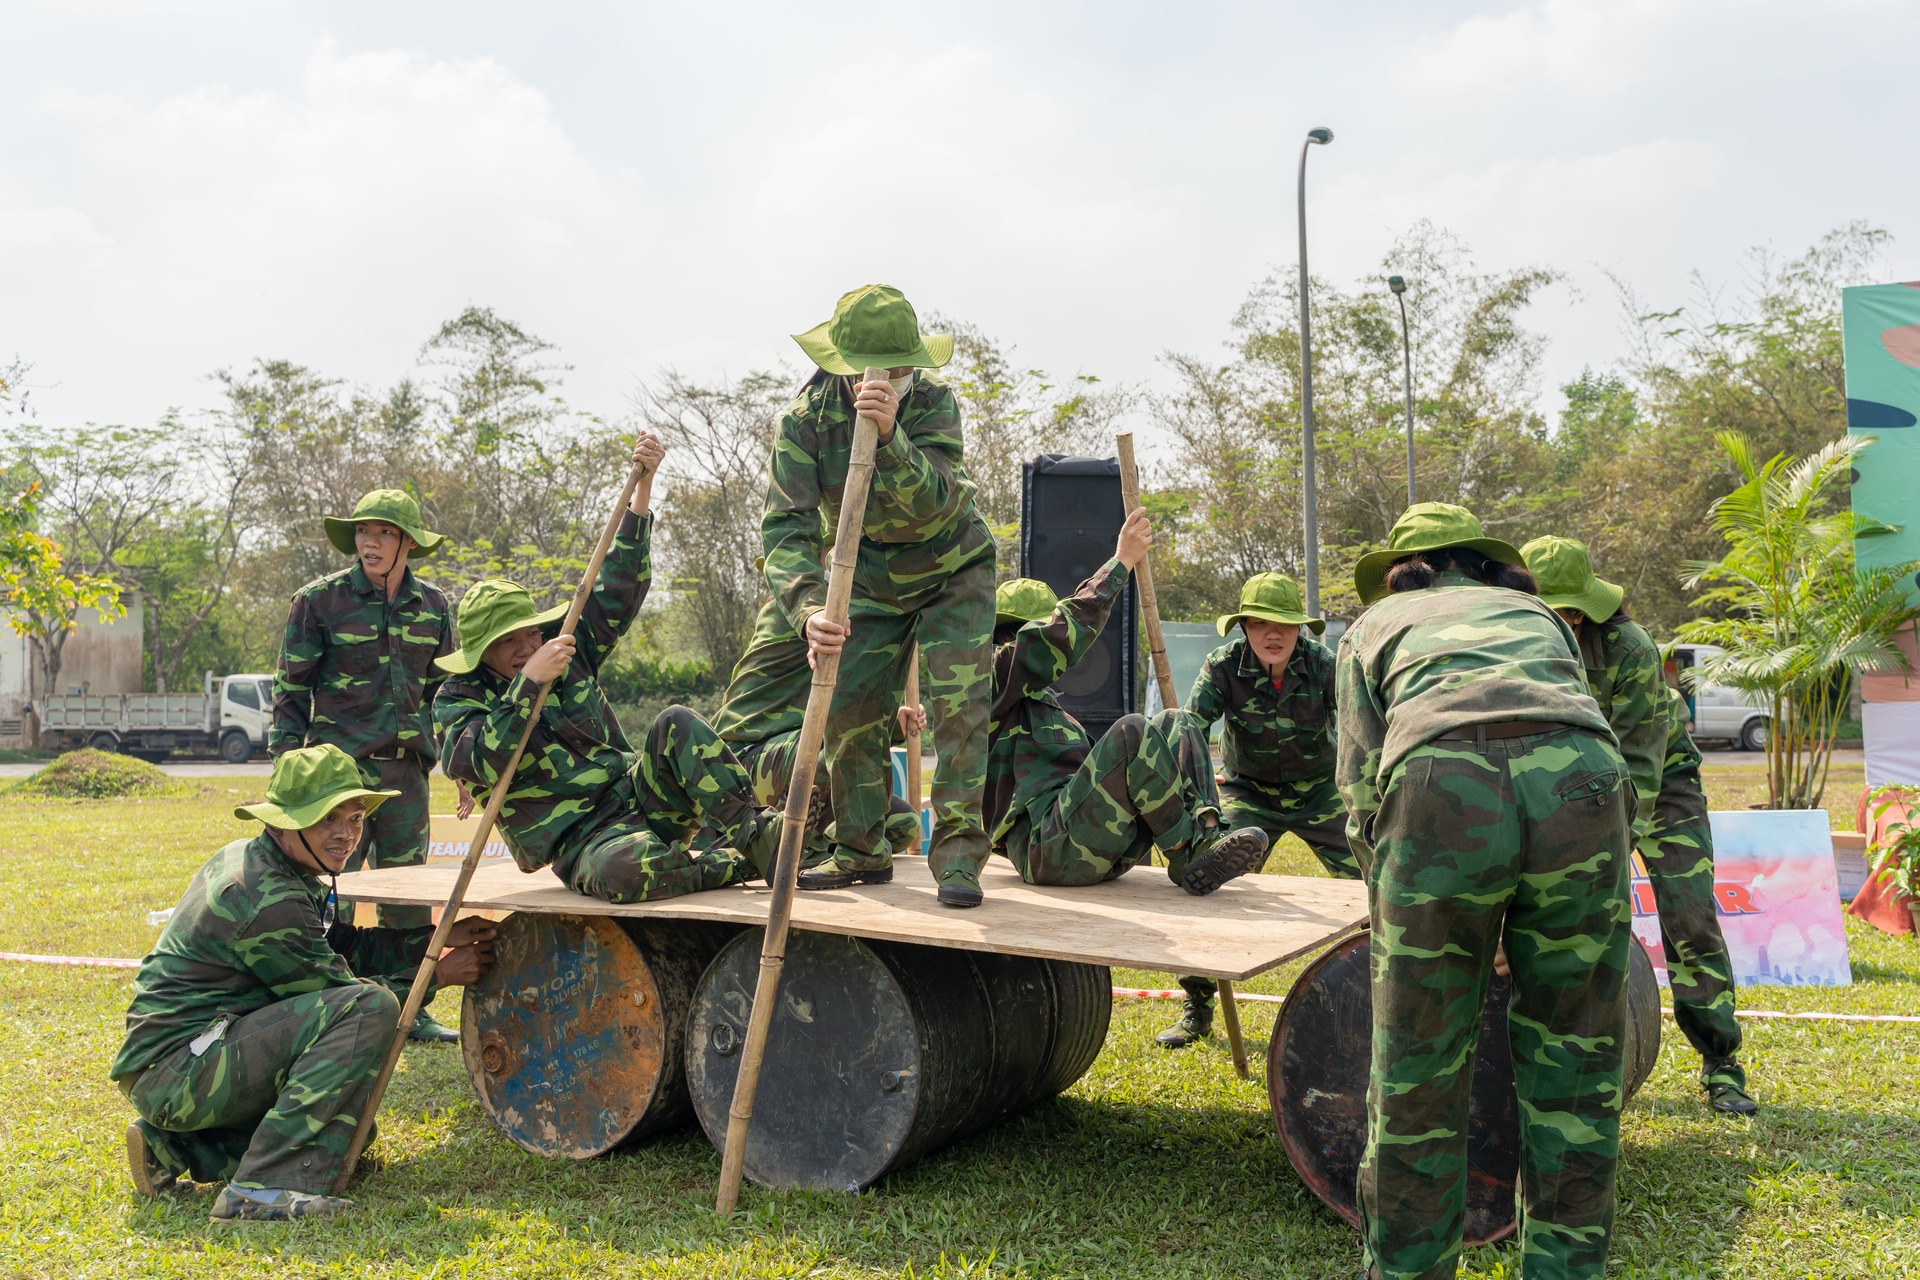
(247,936)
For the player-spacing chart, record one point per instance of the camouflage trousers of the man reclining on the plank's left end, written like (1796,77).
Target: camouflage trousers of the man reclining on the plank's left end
(669,826)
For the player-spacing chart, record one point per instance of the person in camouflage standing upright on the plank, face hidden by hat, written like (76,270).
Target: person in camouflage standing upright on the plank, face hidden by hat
(924,575)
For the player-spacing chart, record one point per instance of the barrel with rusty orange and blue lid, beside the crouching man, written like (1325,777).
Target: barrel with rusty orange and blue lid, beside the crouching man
(577,1039)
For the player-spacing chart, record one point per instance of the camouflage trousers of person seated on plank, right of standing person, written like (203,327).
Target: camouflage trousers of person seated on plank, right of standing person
(1147,784)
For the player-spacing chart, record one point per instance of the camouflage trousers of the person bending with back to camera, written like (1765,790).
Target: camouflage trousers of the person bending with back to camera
(1522,840)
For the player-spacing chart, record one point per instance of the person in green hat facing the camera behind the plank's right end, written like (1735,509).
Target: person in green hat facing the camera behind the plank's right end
(1274,688)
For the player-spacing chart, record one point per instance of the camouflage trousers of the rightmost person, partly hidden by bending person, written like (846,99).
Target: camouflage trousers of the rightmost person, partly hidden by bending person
(1679,859)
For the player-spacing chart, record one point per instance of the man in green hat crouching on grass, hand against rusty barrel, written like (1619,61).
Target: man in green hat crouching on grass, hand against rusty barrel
(258,1024)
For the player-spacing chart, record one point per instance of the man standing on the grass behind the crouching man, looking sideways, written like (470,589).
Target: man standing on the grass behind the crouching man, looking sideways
(358,671)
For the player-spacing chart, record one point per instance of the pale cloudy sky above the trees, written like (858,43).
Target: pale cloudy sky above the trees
(187,187)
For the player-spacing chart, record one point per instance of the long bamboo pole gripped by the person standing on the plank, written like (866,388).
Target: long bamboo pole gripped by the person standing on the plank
(800,790)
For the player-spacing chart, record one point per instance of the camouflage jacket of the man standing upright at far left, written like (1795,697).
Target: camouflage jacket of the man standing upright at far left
(356,669)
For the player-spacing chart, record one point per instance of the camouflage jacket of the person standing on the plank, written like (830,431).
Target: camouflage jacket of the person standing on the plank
(921,521)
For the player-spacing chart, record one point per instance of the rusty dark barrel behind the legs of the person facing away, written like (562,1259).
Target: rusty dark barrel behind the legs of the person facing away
(1318,1066)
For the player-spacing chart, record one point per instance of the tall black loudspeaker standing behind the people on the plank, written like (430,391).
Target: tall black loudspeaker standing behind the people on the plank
(1070,513)
